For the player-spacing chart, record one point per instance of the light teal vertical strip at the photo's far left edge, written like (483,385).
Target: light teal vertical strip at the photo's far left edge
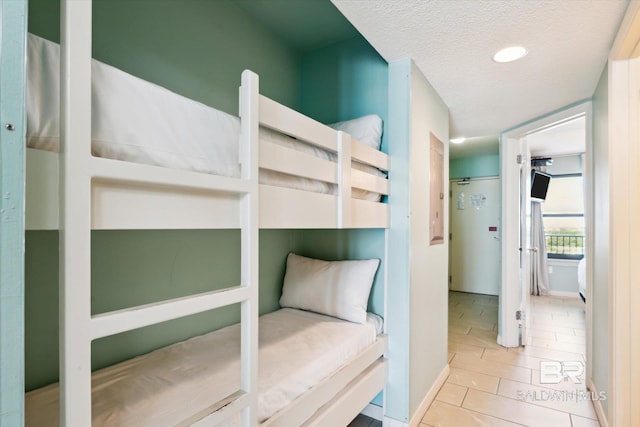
(12,88)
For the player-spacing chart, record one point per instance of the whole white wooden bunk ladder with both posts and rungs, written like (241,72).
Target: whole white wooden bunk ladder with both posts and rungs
(78,169)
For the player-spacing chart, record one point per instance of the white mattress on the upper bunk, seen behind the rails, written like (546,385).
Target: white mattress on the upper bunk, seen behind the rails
(138,121)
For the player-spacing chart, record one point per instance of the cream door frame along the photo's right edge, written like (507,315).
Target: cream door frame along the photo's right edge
(624,224)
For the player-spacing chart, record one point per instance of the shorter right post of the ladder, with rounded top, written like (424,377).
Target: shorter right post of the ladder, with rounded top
(249,157)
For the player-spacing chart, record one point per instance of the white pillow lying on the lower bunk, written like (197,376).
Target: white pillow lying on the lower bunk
(335,288)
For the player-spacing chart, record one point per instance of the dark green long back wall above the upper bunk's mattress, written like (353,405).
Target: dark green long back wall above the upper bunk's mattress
(217,41)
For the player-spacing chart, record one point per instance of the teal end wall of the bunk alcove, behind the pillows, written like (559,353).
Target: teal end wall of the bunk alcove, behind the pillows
(341,82)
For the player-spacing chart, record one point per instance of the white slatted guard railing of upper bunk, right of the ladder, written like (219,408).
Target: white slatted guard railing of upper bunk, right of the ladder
(314,210)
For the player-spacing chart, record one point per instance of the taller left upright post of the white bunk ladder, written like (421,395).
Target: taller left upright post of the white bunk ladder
(75,213)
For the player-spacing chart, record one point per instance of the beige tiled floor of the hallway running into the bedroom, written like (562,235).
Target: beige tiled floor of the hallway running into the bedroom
(490,385)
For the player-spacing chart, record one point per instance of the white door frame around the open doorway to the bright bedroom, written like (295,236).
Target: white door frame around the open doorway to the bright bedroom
(509,302)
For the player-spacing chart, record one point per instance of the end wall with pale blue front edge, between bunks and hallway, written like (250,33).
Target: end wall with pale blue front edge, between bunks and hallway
(417,292)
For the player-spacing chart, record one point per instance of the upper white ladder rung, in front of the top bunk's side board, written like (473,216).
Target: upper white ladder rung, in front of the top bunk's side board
(117,170)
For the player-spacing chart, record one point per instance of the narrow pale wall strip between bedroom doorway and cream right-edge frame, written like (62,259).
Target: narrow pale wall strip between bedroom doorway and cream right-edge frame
(600,264)
